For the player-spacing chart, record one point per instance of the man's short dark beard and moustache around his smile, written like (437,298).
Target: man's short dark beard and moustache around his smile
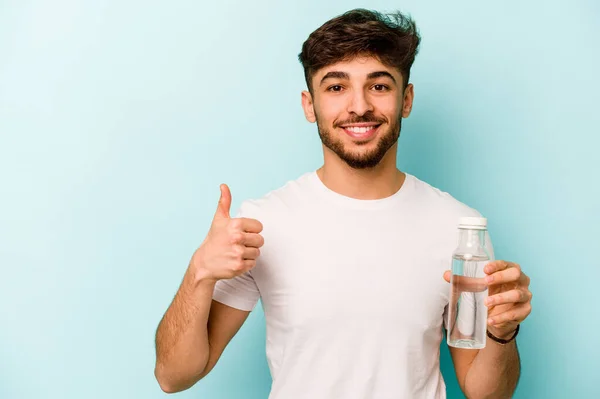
(362,160)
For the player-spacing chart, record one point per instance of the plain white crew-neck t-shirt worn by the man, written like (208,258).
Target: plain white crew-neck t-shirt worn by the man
(352,290)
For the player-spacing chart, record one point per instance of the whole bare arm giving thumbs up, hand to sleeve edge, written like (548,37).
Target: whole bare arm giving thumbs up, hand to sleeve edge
(195,330)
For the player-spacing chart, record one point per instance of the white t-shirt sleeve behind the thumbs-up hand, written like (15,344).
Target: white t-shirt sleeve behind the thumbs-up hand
(240,292)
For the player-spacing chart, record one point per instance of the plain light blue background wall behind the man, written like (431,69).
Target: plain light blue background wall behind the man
(119,120)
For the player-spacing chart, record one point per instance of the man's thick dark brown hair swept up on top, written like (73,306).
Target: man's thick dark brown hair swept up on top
(391,38)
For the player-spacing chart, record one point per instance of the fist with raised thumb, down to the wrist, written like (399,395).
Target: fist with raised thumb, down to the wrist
(231,246)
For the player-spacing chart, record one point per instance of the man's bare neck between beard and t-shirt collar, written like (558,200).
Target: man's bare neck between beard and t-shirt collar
(382,181)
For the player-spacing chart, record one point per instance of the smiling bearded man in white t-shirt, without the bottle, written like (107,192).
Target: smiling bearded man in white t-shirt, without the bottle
(349,260)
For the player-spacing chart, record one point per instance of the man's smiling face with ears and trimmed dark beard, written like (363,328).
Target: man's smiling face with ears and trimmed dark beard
(358,106)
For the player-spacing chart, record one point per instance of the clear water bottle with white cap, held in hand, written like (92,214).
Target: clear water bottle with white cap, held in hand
(467,312)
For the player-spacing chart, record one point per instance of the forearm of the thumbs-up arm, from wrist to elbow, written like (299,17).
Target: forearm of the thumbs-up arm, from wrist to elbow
(182,347)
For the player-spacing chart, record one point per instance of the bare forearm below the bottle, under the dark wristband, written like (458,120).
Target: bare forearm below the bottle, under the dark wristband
(491,372)
